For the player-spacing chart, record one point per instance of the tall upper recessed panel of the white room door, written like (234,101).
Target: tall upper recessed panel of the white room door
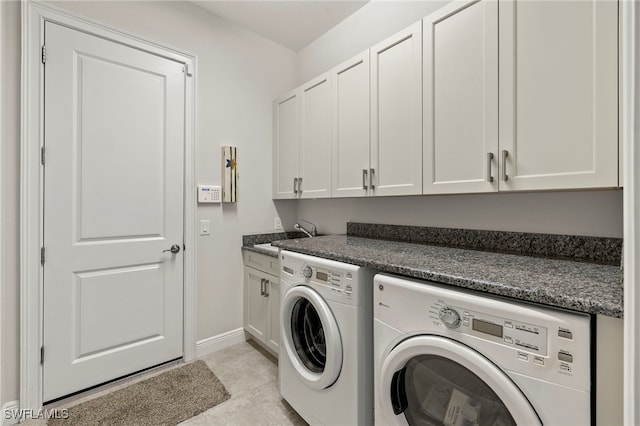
(105,133)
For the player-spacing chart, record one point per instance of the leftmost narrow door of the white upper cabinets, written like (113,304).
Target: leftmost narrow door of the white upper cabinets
(286,146)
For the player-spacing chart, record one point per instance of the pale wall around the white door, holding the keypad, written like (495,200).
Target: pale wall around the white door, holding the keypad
(238,75)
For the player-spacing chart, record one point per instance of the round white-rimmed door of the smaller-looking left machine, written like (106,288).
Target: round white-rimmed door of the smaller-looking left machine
(311,337)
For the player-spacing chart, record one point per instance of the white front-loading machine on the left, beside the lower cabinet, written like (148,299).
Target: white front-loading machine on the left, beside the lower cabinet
(326,354)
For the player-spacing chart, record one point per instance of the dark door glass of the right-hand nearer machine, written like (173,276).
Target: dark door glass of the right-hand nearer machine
(433,390)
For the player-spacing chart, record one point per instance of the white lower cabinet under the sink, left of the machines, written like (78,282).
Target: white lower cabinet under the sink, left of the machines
(262,300)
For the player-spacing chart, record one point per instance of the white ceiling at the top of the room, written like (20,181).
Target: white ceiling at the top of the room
(291,23)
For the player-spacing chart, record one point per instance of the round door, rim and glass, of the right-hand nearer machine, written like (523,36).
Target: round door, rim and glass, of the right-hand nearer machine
(433,380)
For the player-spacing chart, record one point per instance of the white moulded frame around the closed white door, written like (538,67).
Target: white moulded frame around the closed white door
(34,15)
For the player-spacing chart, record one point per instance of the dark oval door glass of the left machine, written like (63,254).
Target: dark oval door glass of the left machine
(308,336)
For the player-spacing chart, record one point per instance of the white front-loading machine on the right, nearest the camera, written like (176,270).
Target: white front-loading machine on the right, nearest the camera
(450,357)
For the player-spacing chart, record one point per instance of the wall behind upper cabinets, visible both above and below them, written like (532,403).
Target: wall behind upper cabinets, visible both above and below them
(597,213)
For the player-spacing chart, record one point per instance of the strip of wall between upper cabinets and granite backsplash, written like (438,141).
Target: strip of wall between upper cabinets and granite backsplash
(594,213)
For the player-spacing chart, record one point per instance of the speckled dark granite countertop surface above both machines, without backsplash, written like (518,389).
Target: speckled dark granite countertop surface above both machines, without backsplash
(581,286)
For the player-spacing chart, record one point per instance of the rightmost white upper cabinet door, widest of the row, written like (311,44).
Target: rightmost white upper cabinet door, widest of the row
(558,94)
